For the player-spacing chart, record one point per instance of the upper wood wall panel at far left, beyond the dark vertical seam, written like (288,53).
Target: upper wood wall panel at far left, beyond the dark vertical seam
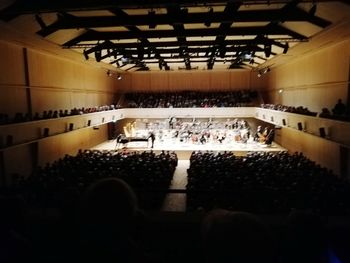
(11,64)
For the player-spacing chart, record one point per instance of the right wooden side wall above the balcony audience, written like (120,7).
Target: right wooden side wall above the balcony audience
(316,80)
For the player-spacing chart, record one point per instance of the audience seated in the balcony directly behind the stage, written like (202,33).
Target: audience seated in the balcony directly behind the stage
(190,99)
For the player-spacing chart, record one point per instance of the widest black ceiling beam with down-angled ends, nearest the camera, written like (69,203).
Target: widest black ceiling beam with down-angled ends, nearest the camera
(66,21)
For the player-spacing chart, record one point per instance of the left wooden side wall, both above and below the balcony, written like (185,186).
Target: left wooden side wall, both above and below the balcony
(35,80)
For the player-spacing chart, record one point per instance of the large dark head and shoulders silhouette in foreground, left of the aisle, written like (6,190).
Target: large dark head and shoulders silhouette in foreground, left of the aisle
(108,218)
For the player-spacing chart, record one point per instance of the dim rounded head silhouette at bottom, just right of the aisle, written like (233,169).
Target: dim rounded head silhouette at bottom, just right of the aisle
(230,236)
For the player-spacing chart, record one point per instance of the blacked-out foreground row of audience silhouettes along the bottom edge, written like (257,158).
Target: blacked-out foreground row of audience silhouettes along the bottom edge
(109,226)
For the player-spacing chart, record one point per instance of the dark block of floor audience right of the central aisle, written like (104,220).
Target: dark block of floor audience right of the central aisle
(264,183)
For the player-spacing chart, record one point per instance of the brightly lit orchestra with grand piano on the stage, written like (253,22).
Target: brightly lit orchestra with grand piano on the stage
(194,131)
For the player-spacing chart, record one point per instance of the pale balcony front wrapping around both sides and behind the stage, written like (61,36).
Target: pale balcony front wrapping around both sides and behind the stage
(12,135)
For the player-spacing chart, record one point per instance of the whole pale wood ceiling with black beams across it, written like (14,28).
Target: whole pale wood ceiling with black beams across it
(177,35)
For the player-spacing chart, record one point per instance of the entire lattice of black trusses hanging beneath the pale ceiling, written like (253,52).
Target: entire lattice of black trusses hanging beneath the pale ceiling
(249,41)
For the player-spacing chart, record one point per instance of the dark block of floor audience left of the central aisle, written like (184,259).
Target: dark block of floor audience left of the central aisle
(56,184)
